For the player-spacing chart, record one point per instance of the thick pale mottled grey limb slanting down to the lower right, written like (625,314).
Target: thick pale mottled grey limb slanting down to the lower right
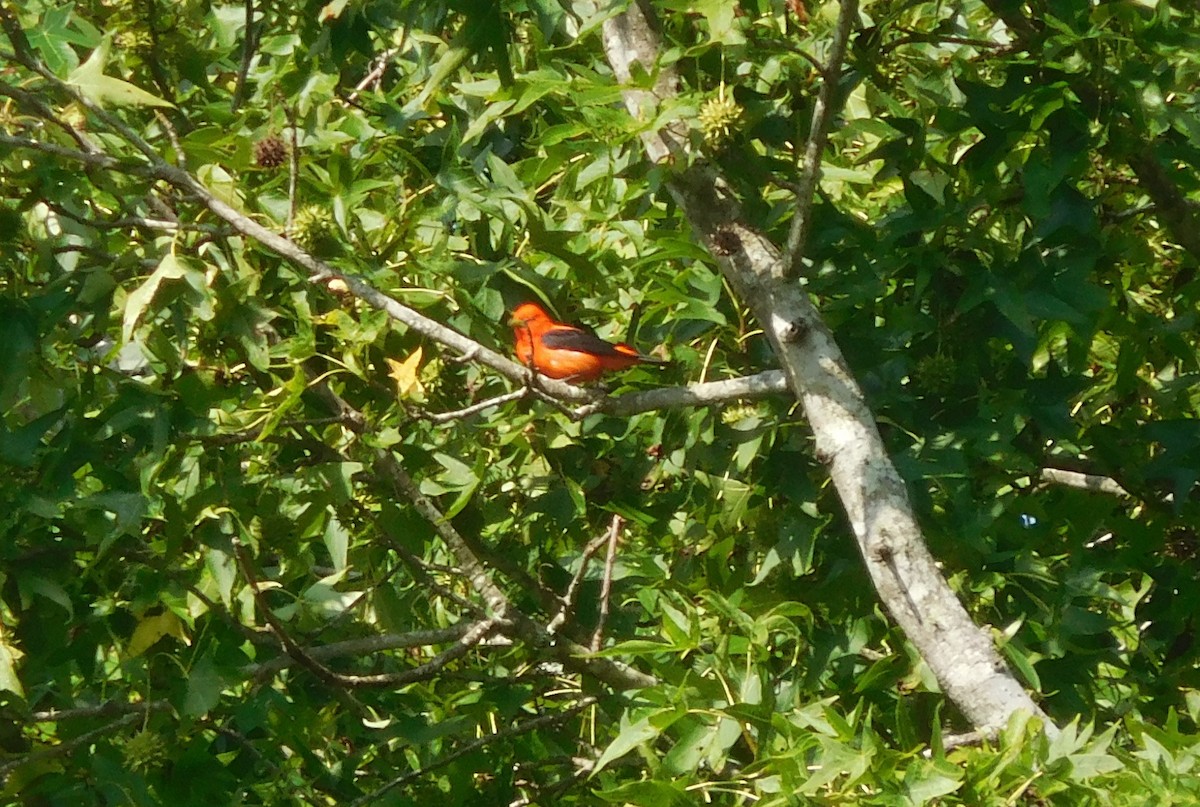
(848,440)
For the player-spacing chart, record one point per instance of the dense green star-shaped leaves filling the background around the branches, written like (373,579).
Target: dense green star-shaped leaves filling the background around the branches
(196,437)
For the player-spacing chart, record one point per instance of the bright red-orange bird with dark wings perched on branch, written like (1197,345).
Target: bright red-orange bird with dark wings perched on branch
(562,351)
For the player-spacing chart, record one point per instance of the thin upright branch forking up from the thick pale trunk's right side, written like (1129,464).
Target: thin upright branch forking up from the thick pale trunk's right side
(819,135)
